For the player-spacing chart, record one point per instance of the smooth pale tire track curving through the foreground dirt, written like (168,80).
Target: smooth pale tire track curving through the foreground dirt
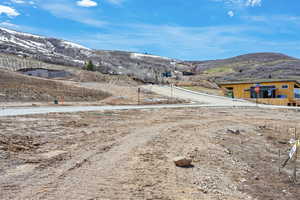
(87,181)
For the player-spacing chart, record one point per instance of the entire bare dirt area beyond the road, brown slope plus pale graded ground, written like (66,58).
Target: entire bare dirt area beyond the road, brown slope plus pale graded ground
(86,89)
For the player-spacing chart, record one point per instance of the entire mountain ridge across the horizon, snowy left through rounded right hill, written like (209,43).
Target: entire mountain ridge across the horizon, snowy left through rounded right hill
(146,67)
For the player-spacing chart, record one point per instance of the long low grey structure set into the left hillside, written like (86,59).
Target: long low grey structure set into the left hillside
(44,73)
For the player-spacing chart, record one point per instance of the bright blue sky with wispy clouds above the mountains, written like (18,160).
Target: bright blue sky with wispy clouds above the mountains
(181,29)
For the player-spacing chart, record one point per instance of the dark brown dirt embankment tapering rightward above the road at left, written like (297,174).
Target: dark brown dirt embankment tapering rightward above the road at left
(22,88)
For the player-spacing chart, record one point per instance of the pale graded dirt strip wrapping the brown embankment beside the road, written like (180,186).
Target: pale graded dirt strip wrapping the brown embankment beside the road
(119,95)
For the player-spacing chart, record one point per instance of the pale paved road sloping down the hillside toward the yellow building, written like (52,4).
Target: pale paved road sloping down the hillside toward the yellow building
(196,97)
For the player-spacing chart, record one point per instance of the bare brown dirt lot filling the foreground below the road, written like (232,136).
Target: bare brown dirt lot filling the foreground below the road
(128,155)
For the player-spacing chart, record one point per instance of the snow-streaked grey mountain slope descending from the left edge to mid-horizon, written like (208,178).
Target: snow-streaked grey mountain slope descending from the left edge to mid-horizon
(56,51)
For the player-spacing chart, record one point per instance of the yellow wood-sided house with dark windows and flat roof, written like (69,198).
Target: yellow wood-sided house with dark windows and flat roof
(276,92)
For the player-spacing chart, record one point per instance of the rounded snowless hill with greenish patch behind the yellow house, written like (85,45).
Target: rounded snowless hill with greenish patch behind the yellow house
(250,66)
